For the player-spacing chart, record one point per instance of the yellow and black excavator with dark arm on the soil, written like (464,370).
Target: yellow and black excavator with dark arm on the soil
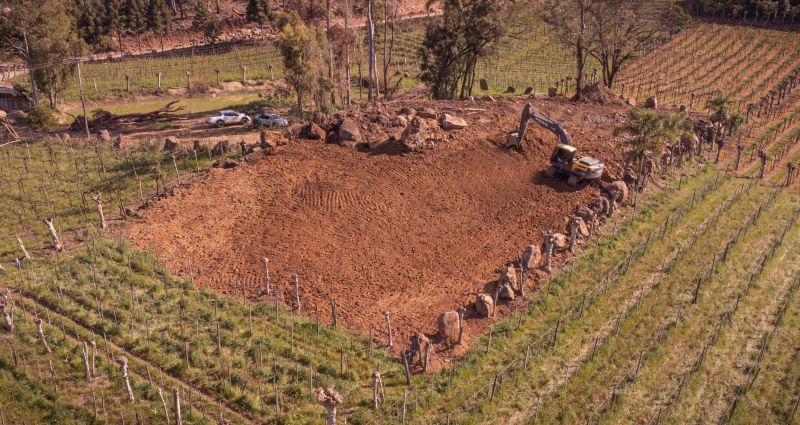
(565,159)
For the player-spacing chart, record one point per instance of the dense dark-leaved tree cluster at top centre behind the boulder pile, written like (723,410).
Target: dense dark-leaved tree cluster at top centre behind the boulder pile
(451,50)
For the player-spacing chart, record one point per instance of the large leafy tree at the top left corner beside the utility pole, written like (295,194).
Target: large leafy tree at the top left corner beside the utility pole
(42,34)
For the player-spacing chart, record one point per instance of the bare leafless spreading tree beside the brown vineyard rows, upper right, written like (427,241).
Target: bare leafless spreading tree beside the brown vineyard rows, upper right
(626,29)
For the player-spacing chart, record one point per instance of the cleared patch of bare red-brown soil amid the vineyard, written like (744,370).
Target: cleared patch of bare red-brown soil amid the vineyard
(414,234)
